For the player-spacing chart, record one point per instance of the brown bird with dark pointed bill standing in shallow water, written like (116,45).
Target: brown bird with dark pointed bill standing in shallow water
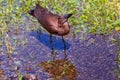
(53,23)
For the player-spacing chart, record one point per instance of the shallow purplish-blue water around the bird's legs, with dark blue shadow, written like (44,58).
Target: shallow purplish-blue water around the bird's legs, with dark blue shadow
(92,60)
